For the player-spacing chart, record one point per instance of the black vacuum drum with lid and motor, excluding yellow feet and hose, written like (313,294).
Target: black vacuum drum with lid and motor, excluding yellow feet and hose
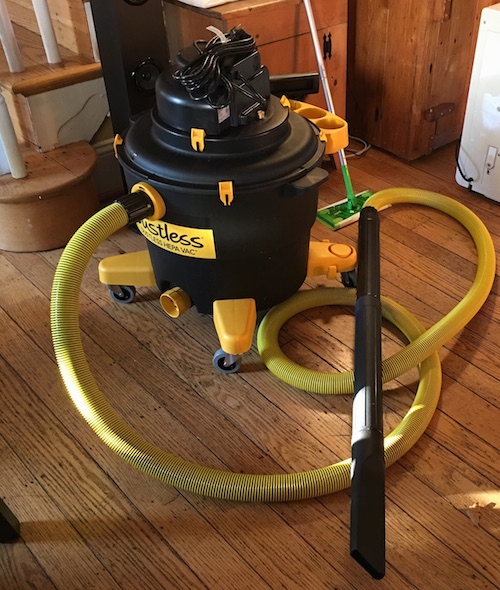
(239,174)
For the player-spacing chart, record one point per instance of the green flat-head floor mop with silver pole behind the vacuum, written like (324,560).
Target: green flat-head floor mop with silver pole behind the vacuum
(346,211)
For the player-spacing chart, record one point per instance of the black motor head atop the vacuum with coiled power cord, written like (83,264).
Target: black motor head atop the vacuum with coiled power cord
(215,84)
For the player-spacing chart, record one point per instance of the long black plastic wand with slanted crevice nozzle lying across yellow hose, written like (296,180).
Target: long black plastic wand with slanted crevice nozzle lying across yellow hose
(368,468)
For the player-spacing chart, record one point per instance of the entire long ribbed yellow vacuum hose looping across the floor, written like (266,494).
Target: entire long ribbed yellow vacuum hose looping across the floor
(185,475)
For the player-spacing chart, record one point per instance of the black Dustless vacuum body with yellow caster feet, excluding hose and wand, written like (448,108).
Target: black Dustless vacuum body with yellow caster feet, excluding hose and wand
(234,176)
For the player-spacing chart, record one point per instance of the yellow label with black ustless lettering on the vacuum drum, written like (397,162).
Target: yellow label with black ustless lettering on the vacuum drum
(185,241)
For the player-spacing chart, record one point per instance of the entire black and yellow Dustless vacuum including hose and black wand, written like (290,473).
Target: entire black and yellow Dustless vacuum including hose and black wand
(223,179)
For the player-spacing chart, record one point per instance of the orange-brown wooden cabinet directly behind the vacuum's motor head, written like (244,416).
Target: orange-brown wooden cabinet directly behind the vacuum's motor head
(281,30)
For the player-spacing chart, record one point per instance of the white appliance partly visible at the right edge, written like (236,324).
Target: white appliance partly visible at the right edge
(478,166)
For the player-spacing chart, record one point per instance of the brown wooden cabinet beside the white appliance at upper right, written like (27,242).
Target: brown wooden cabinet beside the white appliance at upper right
(409,69)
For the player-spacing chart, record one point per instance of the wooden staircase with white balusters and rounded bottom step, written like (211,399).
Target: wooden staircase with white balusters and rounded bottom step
(55,109)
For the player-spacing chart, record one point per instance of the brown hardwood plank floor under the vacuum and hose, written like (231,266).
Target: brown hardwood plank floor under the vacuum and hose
(89,520)
